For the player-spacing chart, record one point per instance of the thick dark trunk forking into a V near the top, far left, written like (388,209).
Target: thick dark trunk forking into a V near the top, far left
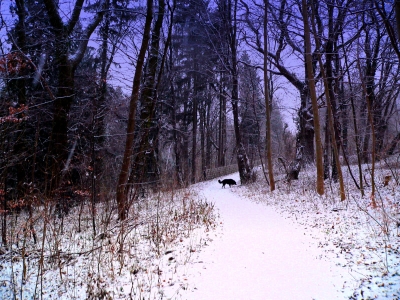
(66,66)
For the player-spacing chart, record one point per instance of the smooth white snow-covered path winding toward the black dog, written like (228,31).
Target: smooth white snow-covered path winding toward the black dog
(260,255)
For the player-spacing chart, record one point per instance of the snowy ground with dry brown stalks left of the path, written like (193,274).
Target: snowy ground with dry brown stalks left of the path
(134,259)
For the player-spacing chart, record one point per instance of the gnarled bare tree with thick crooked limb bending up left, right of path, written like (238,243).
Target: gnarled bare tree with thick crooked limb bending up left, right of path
(284,25)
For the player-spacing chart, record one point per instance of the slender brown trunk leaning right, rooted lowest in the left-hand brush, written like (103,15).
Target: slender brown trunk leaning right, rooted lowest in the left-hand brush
(122,189)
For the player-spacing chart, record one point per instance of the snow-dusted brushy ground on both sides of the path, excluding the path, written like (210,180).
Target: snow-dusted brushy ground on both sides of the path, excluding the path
(89,254)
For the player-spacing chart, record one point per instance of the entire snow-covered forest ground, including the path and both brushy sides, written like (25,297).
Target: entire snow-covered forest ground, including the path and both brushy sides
(207,242)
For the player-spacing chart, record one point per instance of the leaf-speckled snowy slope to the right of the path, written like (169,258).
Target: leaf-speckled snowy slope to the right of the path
(362,239)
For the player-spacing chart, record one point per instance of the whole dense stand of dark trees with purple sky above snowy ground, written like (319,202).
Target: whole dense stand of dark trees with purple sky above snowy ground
(103,100)
